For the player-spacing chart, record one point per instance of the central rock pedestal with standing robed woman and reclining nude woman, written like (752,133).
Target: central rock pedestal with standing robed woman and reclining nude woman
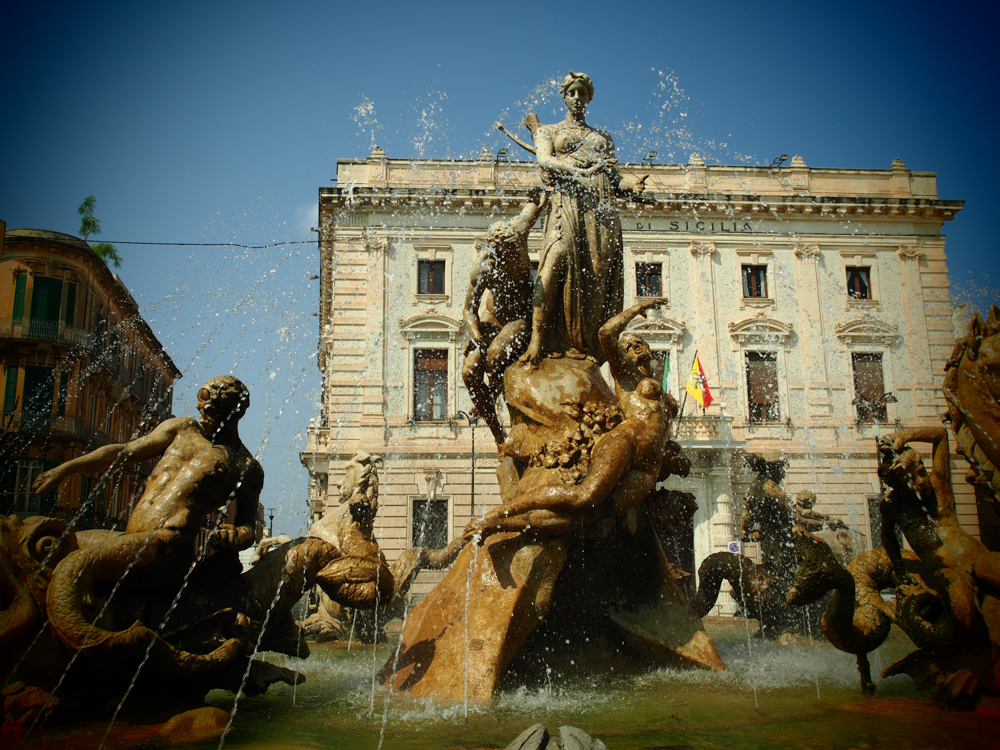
(568,575)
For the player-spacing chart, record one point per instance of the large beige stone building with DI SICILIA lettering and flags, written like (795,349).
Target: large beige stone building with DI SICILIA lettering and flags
(809,294)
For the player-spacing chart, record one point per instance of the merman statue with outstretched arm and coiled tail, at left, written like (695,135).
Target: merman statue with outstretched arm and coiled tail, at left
(204,467)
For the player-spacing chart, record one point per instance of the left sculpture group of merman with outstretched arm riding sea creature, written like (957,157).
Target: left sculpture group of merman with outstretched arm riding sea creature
(148,607)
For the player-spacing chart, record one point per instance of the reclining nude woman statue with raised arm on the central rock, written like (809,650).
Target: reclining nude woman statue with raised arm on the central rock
(626,463)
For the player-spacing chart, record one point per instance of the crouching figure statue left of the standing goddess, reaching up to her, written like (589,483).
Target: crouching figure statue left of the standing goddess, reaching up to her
(500,283)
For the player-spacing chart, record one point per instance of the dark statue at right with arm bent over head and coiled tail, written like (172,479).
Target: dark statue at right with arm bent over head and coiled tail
(947,592)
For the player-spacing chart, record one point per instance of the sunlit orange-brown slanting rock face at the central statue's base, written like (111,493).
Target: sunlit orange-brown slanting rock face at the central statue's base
(476,620)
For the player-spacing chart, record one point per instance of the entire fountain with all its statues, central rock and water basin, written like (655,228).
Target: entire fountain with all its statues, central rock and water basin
(573,600)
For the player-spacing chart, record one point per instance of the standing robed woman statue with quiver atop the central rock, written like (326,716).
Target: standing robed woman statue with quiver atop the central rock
(580,283)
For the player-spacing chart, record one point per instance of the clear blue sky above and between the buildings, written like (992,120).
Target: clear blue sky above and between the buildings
(218,122)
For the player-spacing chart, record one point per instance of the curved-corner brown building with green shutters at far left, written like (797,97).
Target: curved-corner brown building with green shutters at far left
(81,369)
